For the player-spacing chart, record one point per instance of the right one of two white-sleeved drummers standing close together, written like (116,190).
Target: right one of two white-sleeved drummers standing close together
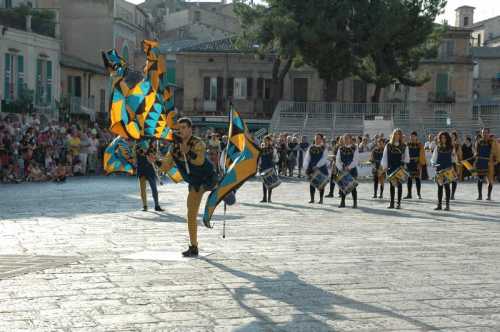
(347,160)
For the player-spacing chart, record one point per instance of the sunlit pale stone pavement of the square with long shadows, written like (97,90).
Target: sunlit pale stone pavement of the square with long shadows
(285,266)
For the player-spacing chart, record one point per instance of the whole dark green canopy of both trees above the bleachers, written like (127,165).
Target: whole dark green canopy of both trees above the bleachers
(379,41)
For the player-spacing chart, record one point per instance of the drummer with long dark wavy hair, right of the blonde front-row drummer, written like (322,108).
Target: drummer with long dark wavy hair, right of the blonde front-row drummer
(443,157)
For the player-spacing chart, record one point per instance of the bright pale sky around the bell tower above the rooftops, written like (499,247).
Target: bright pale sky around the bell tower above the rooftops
(484,9)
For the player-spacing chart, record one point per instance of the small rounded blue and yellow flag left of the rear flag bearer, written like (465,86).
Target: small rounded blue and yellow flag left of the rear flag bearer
(119,158)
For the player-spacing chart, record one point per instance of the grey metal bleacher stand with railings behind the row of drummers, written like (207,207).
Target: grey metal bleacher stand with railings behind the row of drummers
(338,118)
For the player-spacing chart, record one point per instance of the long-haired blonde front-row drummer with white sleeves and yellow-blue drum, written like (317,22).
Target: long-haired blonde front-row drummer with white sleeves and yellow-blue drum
(395,156)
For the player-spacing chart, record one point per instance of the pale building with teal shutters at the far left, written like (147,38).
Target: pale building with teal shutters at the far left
(29,65)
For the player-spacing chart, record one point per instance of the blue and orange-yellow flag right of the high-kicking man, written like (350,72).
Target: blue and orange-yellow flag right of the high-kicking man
(241,164)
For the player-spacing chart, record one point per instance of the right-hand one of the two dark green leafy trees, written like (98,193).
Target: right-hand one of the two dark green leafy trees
(394,36)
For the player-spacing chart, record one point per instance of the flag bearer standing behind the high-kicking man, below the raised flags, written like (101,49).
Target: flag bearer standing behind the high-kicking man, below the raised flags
(145,155)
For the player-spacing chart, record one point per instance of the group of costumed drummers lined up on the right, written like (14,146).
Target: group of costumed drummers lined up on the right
(397,161)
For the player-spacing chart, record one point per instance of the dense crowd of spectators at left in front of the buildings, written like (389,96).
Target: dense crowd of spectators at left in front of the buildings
(52,152)
